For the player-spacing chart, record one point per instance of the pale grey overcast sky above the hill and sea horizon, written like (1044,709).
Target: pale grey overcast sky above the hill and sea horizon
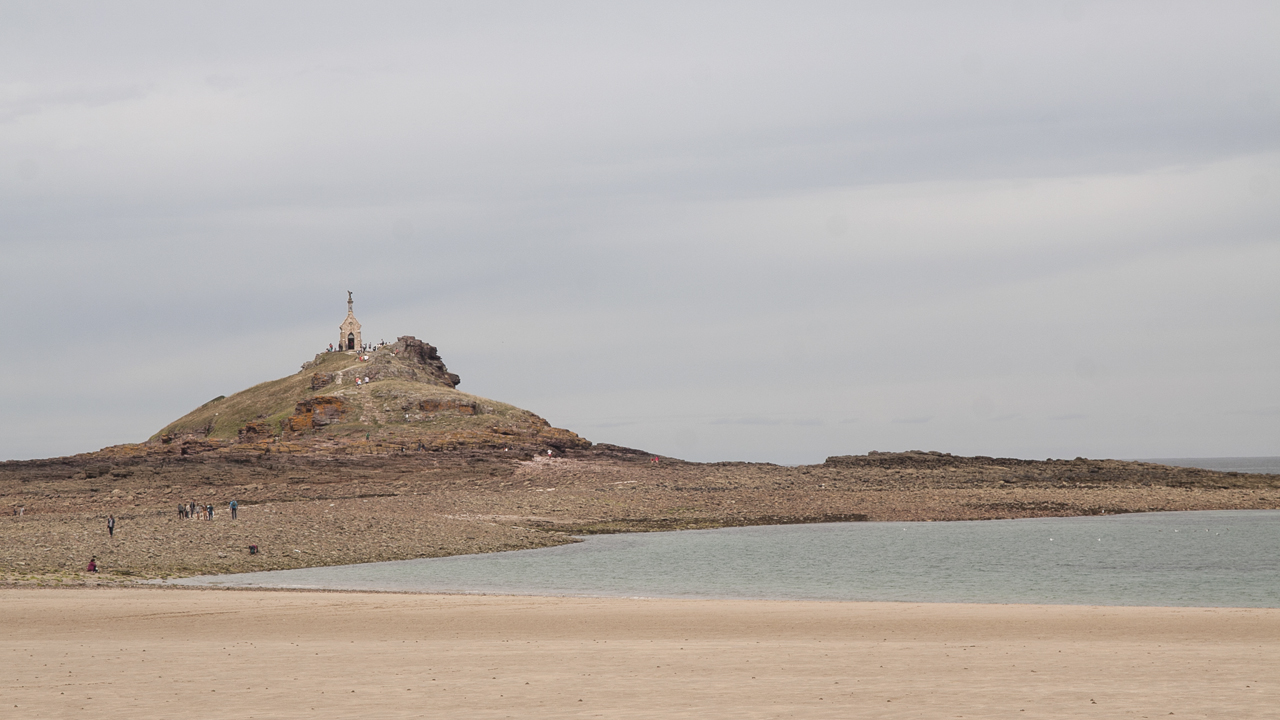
(719,231)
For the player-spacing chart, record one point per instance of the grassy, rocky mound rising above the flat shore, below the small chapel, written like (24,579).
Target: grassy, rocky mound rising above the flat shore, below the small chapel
(390,399)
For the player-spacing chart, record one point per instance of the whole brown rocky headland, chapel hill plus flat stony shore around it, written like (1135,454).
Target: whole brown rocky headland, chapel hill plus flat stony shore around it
(378,457)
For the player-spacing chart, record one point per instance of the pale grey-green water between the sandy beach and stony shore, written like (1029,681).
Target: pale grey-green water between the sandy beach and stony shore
(1190,559)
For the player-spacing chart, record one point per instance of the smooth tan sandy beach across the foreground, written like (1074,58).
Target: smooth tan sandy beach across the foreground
(135,654)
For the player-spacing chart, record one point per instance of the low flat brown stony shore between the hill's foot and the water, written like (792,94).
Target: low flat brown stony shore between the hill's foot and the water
(313,509)
